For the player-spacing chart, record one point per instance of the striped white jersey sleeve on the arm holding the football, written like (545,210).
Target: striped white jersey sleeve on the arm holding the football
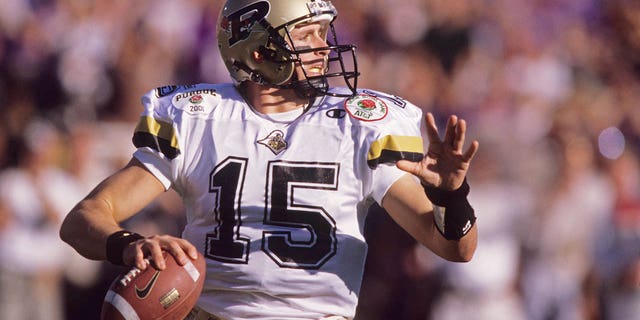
(156,136)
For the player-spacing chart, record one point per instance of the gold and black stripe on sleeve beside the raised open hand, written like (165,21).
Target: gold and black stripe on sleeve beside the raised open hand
(390,149)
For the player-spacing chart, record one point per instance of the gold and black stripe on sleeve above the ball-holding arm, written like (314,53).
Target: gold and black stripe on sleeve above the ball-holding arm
(157,135)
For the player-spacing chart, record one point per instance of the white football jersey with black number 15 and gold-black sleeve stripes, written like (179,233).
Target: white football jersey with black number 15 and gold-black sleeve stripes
(277,207)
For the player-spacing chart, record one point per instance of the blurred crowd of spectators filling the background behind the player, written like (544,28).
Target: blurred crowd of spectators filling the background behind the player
(550,88)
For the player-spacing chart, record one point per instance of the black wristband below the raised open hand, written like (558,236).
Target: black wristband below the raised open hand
(453,214)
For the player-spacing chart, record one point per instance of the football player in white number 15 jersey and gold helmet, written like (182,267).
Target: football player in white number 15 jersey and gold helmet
(277,170)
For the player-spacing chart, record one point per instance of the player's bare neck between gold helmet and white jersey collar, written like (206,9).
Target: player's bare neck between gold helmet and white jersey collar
(271,100)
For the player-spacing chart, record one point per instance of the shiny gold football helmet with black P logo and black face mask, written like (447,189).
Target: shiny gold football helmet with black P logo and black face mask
(248,26)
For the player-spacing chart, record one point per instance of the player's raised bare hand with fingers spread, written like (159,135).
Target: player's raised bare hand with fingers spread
(445,165)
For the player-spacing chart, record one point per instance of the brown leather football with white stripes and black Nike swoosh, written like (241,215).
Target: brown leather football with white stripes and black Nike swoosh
(152,294)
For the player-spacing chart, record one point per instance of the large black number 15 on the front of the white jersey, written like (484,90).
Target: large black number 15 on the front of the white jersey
(315,241)
